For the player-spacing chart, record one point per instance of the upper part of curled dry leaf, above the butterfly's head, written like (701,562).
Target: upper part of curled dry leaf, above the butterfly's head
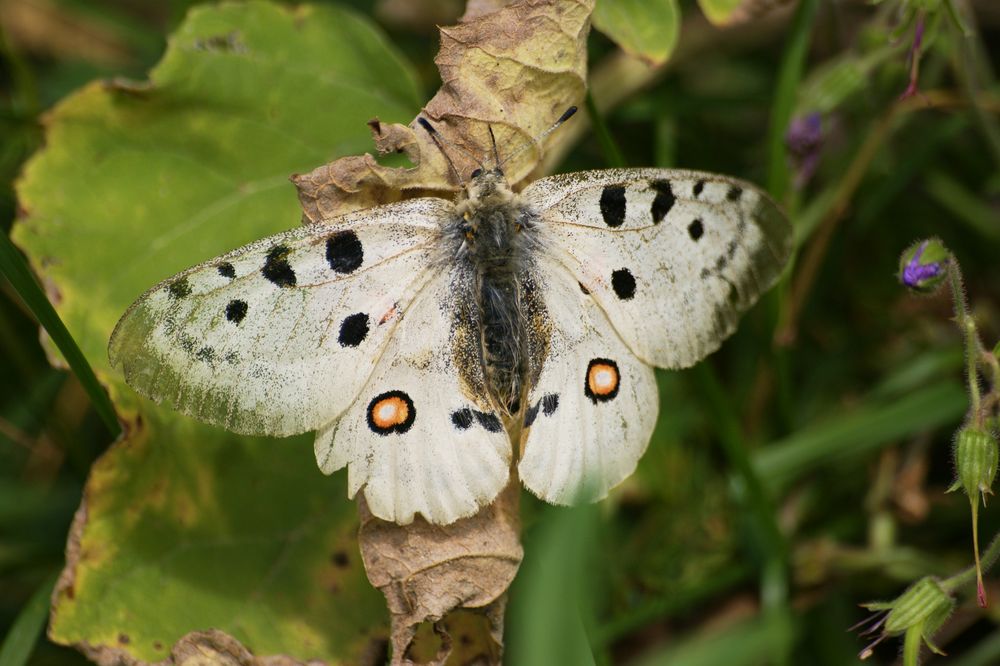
(516,70)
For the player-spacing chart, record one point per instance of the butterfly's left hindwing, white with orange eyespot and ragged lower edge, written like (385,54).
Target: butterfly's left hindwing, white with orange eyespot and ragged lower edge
(423,435)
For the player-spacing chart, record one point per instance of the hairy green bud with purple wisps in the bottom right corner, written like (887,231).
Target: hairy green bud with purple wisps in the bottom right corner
(919,611)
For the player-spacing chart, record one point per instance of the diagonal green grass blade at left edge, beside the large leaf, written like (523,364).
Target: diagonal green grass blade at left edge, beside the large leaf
(15,269)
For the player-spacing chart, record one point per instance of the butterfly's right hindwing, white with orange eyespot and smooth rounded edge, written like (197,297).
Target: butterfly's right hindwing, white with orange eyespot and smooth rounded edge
(592,409)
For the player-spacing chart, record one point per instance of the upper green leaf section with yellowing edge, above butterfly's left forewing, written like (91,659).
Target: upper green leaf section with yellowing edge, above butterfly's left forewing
(139,181)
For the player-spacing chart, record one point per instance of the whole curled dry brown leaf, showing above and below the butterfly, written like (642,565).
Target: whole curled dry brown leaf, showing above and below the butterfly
(515,70)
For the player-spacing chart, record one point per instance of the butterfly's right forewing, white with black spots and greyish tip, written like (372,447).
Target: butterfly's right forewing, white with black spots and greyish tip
(672,257)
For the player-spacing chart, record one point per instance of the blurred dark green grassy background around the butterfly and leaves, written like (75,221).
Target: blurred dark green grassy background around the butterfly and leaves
(797,473)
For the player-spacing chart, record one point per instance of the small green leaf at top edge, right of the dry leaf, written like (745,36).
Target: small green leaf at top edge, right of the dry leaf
(647,29)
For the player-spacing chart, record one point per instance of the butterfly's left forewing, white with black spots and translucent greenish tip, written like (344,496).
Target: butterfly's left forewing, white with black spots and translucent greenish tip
(279,336)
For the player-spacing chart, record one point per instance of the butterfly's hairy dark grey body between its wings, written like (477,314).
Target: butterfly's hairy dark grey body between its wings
(493,236)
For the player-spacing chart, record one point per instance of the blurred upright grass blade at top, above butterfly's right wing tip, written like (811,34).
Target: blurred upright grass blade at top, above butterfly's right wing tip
(789,78)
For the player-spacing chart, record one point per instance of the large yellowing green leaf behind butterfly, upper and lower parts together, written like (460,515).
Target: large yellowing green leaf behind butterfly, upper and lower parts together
(186,527)
